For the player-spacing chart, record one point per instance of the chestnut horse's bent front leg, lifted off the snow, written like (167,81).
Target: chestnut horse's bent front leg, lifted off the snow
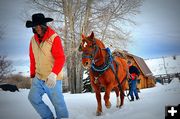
(107,95)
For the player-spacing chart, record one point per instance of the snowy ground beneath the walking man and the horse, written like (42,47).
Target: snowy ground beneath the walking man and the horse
(83,106)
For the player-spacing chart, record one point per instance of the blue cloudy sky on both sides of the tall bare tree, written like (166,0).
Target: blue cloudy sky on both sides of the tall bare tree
(156,34)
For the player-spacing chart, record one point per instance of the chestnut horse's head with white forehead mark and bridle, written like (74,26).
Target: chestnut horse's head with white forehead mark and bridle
(89,48)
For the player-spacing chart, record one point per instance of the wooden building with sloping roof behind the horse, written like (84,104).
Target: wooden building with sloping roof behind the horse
(146,77)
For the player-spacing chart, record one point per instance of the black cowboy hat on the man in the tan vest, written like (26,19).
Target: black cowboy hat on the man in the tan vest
(37,19)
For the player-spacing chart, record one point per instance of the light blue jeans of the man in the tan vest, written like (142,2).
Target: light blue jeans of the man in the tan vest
(38,88)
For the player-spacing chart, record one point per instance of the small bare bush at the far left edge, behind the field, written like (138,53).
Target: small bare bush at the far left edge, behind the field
(5,67)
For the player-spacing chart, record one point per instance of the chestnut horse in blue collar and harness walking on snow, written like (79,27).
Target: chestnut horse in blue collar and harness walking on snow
(104,70)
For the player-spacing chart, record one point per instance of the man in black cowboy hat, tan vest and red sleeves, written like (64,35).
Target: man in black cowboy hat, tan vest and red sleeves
(46,62)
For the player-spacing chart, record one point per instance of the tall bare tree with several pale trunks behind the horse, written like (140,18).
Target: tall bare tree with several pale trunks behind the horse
(74,17)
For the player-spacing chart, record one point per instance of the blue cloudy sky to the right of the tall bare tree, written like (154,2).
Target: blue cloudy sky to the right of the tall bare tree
(157,32)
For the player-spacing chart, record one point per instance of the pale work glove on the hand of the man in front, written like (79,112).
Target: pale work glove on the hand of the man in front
(51,80)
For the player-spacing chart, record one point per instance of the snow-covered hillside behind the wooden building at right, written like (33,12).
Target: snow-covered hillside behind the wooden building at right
(164,65)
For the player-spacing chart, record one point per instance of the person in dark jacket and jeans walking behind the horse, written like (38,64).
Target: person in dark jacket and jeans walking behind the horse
(134,74)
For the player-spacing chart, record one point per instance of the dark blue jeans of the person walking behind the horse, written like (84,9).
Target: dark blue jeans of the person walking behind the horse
(133,89)
